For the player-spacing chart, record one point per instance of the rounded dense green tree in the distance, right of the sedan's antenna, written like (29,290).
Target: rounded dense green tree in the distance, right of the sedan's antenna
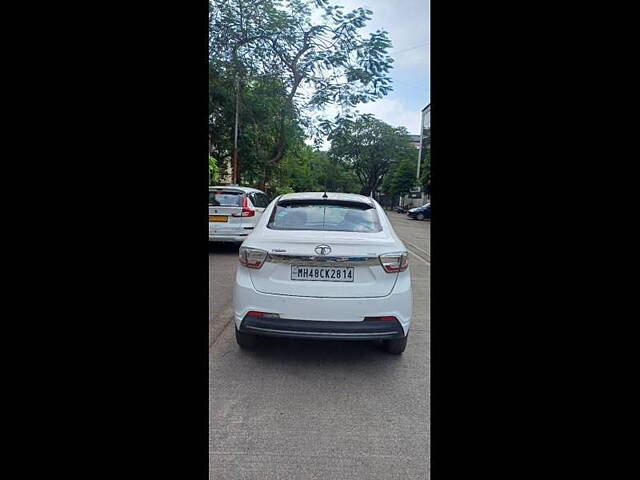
(370,147)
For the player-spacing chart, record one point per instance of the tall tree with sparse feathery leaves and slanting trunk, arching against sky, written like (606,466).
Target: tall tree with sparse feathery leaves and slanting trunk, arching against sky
(272,39)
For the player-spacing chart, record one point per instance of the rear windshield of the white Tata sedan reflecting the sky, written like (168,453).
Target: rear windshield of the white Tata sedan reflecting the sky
(326,216)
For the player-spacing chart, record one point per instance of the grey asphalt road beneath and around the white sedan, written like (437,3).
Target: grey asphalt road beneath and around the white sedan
(319,409)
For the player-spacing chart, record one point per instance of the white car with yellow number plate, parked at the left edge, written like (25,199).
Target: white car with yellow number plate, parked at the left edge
(234,212)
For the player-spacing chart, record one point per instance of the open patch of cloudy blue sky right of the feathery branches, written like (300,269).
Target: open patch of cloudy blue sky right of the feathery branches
(408,25)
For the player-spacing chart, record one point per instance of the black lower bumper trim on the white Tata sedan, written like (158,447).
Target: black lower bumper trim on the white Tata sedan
(364,330)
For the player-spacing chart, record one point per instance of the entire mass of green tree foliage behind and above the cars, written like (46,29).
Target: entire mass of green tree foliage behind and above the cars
(261,52)
